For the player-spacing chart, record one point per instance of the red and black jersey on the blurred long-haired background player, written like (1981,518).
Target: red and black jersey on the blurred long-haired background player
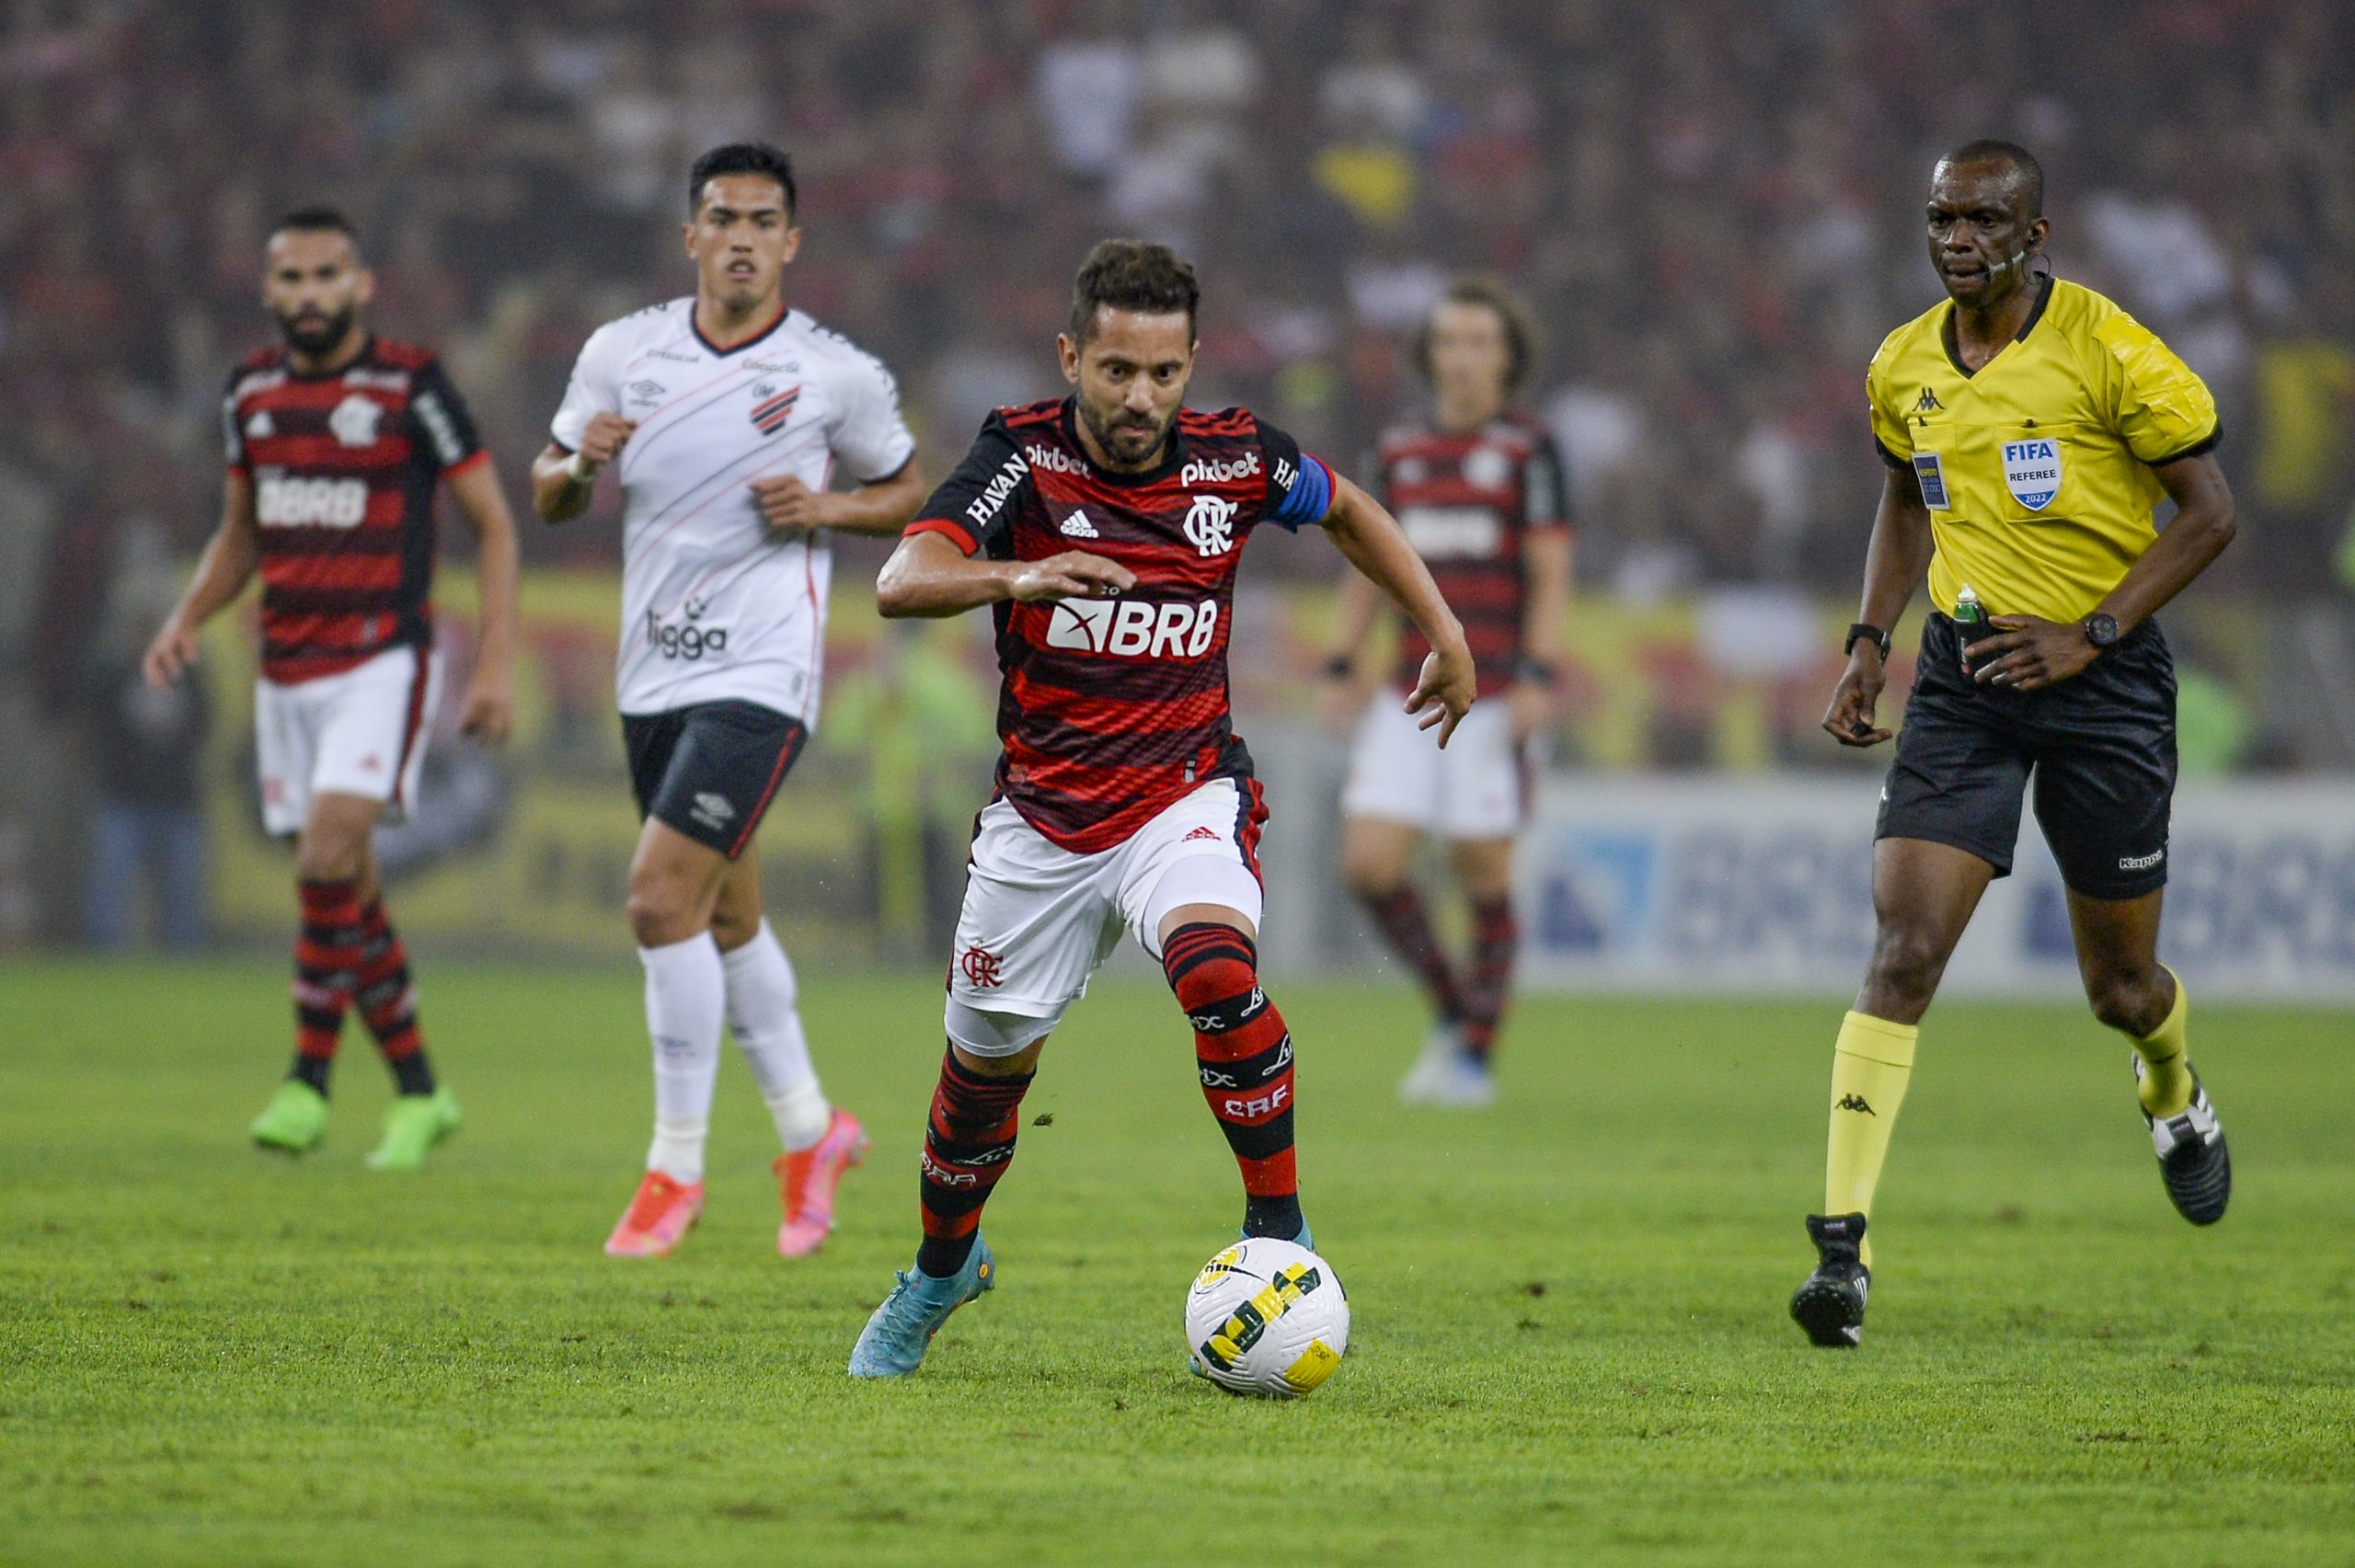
(1468,503)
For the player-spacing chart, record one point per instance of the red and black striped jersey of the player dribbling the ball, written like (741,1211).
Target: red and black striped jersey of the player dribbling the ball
(1117,707)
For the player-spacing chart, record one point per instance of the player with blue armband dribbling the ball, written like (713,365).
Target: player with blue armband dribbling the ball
(1106,531)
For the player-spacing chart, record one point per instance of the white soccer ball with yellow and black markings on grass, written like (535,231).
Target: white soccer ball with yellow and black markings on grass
(1268,1317)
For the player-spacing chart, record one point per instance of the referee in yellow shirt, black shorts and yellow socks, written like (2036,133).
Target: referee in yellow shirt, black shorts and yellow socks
(2029,427)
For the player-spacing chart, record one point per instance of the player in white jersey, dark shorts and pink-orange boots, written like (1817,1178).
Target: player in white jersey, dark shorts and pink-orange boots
(724,418)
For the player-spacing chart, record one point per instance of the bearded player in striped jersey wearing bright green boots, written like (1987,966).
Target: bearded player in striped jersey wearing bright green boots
(336,449)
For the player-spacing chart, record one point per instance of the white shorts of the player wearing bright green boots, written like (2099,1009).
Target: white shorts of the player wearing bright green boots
(361,733)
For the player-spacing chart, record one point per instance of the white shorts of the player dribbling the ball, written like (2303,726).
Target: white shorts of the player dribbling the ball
(1040,919)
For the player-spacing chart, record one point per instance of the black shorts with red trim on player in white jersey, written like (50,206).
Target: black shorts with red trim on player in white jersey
(710,769)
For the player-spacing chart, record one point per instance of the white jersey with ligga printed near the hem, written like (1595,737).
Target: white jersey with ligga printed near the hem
(715,606)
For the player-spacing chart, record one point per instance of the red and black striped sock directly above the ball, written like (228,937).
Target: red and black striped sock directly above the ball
(1247,1065)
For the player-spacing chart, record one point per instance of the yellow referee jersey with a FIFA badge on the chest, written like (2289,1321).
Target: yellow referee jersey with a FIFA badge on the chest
(2038,467)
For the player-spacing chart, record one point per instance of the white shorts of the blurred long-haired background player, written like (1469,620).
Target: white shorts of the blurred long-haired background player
(1473,790)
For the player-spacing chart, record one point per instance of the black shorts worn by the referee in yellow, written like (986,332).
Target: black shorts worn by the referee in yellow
(2102,748)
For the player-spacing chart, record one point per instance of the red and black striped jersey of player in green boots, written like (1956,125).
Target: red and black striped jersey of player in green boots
(345,470)
